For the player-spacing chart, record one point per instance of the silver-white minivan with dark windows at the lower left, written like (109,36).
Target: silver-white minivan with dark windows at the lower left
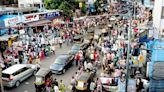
(15,74)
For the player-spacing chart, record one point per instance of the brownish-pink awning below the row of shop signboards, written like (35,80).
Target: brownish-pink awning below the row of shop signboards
(38,23)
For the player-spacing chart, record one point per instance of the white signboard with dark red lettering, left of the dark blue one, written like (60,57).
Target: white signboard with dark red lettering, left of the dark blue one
(30,18)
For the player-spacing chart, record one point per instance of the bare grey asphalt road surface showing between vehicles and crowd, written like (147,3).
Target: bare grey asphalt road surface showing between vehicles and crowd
(28,86)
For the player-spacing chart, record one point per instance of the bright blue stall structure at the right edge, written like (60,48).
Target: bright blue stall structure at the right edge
(157,56)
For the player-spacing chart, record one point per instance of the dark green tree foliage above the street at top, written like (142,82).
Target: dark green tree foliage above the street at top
(68,6)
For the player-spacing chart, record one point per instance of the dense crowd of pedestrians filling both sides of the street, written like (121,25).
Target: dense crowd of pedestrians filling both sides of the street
(110,51)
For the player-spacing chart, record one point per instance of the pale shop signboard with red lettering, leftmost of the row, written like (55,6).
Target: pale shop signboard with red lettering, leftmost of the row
(12,21)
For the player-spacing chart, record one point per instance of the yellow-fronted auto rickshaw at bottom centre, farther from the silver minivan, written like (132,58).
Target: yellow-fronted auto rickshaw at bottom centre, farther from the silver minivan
(83,81)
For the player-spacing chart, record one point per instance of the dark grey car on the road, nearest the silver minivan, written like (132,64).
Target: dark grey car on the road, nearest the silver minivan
(61,63)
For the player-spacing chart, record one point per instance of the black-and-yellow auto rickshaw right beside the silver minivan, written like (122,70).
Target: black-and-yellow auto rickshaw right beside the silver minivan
(40,79)
